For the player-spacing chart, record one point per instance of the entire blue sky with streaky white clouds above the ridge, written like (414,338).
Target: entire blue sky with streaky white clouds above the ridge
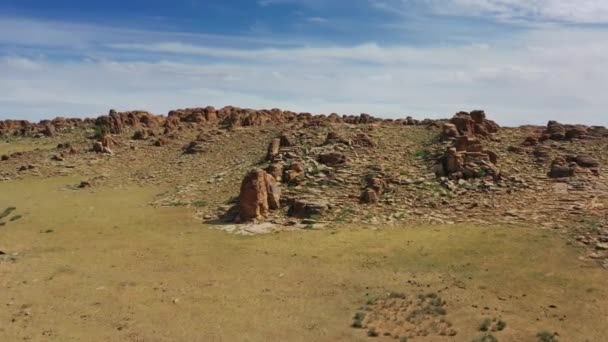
(521,61)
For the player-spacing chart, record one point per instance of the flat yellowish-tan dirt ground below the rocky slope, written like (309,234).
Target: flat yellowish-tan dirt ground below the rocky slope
(101,264)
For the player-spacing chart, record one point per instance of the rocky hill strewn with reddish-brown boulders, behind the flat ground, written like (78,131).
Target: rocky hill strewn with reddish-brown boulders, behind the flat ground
(253,171)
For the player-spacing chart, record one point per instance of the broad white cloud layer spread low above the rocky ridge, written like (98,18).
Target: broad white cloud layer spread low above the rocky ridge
(531,78)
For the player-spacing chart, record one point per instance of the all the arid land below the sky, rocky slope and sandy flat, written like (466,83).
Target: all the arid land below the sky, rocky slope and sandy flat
(266,225)
